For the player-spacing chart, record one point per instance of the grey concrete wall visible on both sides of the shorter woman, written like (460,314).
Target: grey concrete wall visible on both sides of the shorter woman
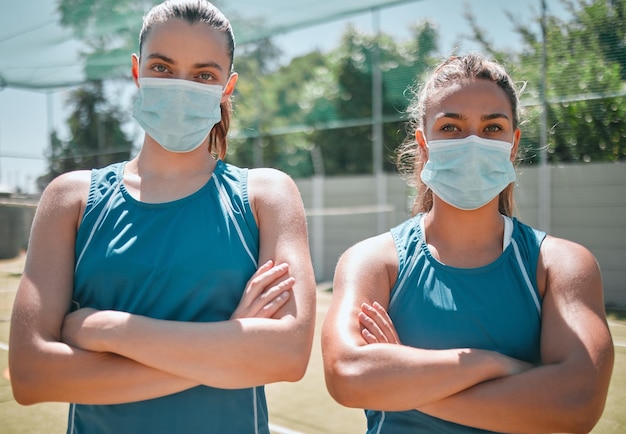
(587,205)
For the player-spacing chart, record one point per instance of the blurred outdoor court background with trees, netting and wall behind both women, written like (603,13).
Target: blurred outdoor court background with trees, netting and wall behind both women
(322,94)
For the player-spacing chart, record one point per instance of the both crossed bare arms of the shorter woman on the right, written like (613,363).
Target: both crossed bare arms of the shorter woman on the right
(368,367)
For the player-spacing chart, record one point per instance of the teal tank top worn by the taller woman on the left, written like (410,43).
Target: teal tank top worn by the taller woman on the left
(185,260)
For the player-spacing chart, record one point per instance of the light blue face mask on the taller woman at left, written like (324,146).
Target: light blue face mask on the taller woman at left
(177,114)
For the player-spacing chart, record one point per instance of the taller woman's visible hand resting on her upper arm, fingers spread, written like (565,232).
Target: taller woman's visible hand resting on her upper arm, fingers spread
(266,292)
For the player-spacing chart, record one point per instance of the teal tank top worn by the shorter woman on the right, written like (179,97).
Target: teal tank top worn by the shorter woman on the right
(434,306)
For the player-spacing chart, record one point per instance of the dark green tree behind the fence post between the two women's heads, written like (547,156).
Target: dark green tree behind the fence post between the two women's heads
(343,108)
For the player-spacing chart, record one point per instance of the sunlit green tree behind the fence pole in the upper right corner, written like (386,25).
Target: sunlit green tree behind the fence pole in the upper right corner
(585,90)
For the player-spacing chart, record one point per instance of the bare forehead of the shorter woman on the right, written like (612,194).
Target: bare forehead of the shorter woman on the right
(468,98)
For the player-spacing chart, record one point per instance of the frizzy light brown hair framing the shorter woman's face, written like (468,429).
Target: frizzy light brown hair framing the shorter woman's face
(451,71)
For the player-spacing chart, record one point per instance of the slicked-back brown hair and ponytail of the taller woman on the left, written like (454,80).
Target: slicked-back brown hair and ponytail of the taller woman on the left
(197,11)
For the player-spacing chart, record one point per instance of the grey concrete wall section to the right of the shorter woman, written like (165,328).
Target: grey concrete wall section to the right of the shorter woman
(588,206)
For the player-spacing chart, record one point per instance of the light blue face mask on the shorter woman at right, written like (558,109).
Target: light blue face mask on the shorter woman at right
(468,173)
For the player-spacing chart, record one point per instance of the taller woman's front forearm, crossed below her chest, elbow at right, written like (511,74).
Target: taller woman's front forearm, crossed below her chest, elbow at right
(227,354)
